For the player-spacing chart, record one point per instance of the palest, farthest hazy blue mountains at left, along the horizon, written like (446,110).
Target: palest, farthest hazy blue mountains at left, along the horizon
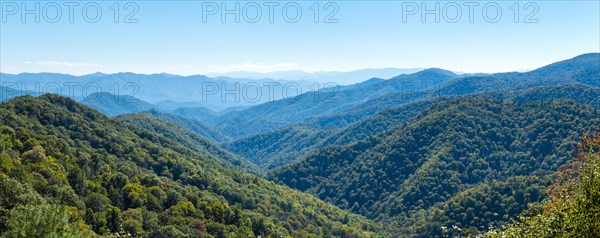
(166,90)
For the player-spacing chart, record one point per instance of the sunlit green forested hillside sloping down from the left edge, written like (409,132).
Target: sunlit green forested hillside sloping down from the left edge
(88,172)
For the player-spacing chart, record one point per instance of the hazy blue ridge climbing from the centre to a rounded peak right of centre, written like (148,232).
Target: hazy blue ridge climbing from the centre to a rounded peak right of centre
(280,113)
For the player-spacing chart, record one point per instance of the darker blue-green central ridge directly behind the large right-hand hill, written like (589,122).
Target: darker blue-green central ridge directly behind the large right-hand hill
(280,147)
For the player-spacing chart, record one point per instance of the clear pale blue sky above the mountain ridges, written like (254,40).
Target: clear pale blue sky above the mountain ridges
(173,37)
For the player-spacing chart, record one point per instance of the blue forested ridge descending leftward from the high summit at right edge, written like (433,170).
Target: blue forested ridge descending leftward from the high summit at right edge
(583,70)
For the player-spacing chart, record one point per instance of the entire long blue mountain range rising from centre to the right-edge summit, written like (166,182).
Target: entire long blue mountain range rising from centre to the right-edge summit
(342,107)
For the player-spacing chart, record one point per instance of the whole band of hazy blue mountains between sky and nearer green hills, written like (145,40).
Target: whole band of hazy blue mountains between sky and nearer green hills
(334,107)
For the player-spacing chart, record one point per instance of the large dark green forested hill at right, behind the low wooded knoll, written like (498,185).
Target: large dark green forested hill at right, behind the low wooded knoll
(452,146)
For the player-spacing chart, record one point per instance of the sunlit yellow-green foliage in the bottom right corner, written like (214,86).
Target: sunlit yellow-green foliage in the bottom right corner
(572,208)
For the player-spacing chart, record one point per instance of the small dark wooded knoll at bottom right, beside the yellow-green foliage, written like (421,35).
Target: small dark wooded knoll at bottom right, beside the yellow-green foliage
(473,210)
